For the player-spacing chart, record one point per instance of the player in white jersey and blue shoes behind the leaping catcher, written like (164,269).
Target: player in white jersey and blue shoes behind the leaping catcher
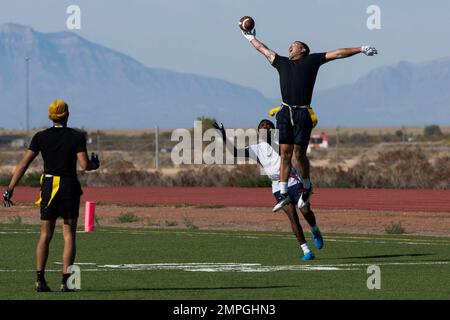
(268,158)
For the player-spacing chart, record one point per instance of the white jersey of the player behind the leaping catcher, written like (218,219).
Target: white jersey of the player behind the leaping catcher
(270,160)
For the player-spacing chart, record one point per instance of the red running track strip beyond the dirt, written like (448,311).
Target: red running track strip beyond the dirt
(364,199)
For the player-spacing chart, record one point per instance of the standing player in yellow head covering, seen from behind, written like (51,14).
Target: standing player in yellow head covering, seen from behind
(61,147)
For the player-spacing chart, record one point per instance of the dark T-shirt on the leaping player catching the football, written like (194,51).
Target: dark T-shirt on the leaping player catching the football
(297,77)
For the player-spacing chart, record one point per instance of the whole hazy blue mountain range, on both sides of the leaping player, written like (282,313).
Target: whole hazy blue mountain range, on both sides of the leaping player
(107,89)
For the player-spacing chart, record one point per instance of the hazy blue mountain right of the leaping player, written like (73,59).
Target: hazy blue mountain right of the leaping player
(403,94)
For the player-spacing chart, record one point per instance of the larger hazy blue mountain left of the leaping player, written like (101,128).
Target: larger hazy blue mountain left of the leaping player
(107,89)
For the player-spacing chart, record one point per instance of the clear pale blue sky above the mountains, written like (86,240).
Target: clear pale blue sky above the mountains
(202,37)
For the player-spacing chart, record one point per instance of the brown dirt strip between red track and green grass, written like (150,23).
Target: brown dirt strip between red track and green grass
(214,217)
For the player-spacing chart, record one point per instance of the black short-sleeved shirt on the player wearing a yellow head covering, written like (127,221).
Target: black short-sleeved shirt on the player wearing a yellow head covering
(59,148)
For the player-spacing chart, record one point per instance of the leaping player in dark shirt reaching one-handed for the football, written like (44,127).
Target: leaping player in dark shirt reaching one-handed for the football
(297,78)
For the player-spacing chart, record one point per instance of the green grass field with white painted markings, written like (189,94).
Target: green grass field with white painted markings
(157,264)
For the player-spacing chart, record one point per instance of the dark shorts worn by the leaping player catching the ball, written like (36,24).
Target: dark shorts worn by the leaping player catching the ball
(298,134)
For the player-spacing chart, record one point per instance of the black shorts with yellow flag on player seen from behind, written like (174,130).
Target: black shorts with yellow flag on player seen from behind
(60,199)
